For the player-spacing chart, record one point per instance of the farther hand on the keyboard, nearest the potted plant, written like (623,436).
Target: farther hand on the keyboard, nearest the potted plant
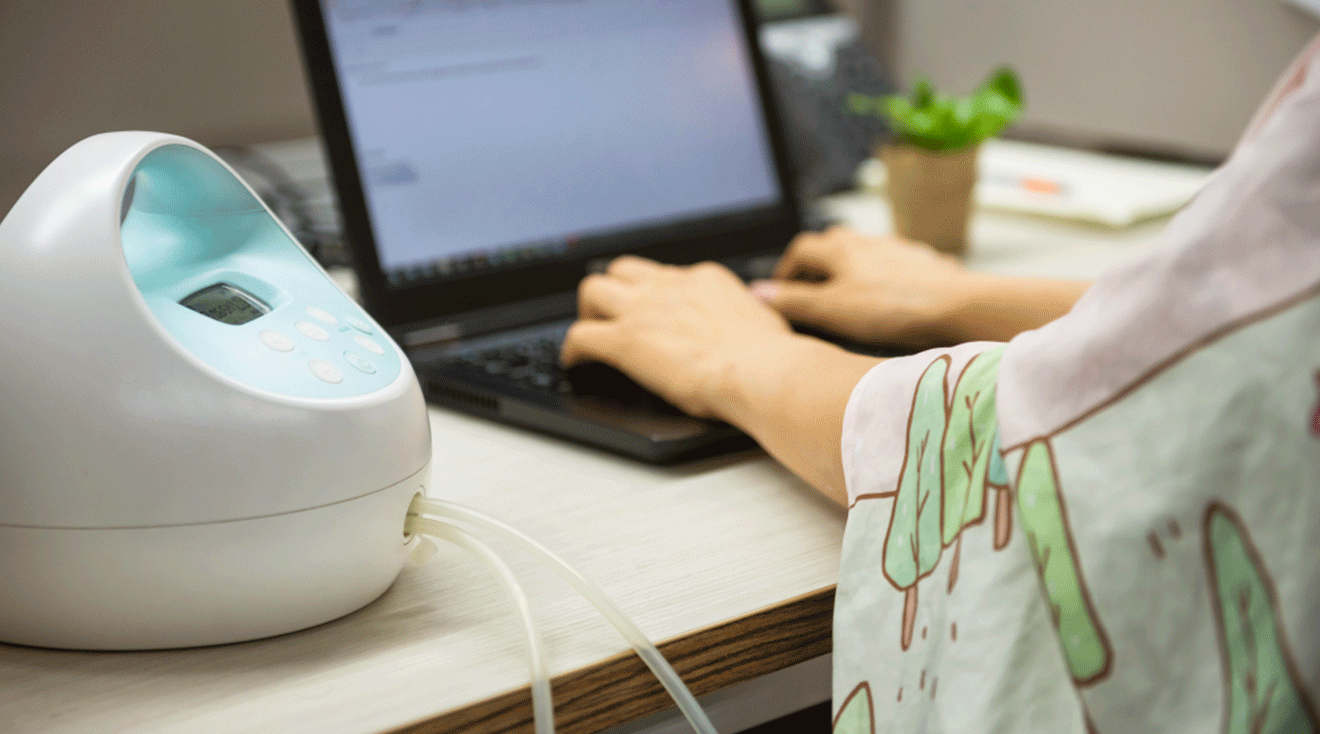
(869,290)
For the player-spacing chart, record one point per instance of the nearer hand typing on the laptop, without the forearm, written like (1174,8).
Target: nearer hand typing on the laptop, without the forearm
(682,333)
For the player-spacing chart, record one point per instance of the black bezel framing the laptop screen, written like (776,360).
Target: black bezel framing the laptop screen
(758,230)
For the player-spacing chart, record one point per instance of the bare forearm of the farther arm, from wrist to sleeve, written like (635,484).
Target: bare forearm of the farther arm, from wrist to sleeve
(999,308)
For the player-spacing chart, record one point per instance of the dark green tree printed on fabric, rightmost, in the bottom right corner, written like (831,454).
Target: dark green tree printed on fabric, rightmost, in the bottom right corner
(1264,694)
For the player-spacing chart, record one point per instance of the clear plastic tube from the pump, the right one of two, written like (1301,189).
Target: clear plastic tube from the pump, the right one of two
(646,650)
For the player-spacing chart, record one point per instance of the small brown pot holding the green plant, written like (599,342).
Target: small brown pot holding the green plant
(931,195)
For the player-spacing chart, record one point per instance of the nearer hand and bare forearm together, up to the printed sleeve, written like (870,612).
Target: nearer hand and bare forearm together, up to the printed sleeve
(699,339)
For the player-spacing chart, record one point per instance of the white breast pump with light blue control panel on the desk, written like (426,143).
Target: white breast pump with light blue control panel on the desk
(203,440)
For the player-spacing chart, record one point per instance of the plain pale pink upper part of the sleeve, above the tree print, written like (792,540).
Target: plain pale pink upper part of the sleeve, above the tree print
(1248,242)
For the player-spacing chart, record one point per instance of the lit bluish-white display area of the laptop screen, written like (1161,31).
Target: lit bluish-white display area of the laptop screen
(493,130)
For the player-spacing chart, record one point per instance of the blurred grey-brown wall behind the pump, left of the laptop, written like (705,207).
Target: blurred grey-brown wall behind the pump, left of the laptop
(216,71)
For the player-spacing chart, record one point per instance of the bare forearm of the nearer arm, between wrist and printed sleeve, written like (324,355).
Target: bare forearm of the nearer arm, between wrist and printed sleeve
(791,398)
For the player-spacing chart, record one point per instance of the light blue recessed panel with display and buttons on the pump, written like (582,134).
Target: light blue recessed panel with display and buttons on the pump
(259,310)
